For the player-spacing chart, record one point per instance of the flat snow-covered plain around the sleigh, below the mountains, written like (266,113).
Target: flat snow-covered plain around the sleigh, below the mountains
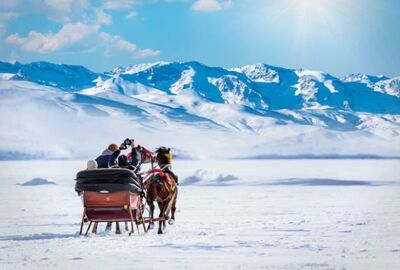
(241,214)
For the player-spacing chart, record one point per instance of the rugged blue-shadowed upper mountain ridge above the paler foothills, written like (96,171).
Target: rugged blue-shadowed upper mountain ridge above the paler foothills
(259,87)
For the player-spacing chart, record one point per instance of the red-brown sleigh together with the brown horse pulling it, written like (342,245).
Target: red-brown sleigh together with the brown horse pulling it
(116,195)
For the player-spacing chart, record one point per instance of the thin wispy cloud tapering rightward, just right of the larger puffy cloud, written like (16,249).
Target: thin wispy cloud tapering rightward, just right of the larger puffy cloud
(113,42)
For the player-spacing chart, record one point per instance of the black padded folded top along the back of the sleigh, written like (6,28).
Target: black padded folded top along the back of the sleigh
(108,180)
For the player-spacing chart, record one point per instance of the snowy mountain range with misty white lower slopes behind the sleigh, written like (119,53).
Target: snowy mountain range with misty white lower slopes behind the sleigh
(65,111)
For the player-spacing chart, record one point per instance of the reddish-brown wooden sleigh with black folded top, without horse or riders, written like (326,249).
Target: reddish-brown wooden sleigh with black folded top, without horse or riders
(110,195)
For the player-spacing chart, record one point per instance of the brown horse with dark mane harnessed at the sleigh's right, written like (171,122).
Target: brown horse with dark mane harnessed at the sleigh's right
(164,191)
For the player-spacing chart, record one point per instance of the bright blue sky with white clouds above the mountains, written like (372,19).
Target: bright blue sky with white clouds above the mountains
(336,36)
